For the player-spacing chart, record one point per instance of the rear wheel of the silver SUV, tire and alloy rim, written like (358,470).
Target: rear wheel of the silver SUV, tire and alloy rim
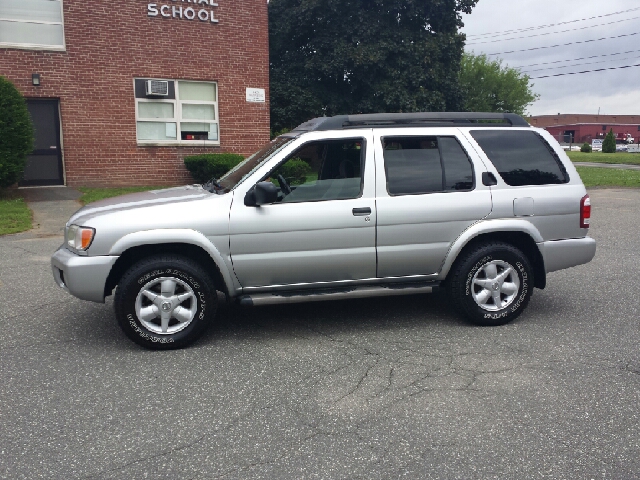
(503,299)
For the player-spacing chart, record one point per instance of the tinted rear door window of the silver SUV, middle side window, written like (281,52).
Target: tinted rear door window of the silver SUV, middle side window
(416,165)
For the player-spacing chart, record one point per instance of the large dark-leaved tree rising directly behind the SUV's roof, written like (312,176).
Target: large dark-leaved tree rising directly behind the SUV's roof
(330,57)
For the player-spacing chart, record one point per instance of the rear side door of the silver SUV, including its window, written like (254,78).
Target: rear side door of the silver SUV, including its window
(428,192)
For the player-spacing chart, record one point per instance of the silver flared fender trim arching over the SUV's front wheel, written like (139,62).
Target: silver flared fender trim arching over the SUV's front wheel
(192,237)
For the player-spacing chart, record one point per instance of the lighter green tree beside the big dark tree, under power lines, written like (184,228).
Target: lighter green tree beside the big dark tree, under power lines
(487,86)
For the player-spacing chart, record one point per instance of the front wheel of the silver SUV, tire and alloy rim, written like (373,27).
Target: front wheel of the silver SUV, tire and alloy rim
(182,311)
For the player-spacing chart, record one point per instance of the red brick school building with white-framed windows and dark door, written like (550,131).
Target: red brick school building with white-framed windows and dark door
(121,91)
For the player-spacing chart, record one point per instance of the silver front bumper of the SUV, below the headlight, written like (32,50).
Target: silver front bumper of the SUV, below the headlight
(82,277)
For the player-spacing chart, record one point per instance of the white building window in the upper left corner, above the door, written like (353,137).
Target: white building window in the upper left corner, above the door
(32,24)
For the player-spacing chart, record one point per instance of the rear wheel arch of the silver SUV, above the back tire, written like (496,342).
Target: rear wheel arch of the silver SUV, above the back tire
(524,237)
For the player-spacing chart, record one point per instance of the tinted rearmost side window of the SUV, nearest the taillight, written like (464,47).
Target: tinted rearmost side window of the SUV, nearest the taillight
(521,157)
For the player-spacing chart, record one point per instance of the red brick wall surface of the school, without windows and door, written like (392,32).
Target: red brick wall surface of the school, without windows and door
(108,44)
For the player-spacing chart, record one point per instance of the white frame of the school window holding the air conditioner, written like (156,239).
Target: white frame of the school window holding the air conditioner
(177,118)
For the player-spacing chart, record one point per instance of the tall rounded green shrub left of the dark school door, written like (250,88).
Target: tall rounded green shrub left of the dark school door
(16,134)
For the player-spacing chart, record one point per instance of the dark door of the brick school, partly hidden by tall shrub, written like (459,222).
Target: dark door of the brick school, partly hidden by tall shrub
(44,165)
